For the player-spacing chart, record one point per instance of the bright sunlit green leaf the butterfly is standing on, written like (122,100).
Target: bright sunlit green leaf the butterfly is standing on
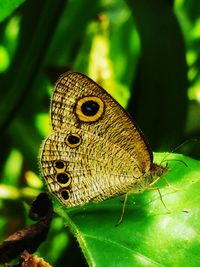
(150,234)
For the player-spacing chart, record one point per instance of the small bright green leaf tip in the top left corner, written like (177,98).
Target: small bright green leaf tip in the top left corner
(7,7)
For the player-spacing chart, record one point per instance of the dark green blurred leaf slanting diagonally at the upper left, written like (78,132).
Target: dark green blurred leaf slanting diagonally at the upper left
(35,36)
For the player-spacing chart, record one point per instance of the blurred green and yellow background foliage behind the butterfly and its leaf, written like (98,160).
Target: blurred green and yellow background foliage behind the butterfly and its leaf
(144,53)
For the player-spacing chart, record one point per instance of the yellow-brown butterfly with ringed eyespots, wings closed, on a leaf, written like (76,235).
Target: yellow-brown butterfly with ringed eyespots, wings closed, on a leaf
(95,150)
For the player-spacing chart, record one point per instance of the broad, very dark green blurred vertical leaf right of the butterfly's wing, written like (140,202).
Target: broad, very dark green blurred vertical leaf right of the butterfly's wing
(161,79)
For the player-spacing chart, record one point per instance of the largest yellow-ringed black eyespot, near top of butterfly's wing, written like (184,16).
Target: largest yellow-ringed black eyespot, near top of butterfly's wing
(89,108)
